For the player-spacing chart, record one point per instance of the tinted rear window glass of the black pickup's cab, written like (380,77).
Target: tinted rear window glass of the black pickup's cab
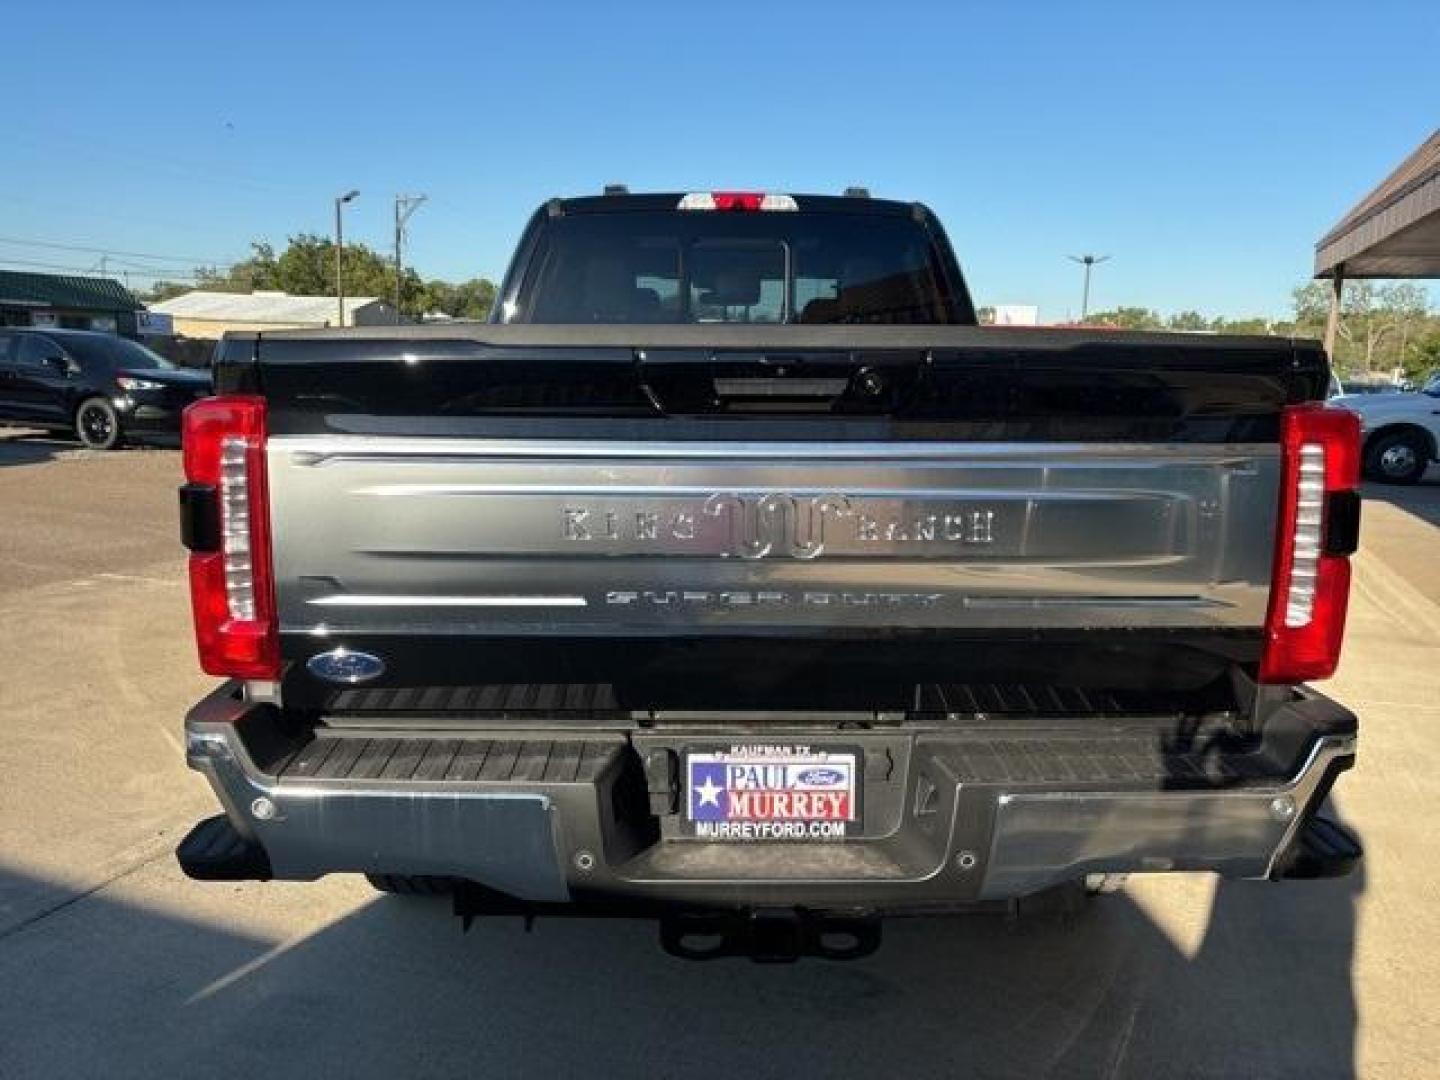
(695,267)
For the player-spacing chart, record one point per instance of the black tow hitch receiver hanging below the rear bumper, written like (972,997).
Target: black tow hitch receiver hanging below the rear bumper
(770,935)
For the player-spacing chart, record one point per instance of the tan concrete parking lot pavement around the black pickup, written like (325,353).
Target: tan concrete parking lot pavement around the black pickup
(113,964)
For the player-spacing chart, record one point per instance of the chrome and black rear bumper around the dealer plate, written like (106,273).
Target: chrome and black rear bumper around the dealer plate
(953,819)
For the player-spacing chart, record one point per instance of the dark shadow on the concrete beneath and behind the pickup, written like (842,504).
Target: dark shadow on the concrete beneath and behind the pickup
(395,990)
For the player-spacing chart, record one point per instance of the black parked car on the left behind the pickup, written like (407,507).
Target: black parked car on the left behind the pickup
(100,387)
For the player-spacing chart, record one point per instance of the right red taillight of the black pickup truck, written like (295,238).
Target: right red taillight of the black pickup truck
(1317,531)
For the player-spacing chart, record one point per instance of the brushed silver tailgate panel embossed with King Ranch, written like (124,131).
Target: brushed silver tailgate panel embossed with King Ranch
(594,538)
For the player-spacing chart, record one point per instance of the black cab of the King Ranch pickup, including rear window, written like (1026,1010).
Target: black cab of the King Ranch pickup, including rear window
(734,257)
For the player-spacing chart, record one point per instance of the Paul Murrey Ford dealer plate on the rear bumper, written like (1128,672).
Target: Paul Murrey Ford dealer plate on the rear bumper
(773,793)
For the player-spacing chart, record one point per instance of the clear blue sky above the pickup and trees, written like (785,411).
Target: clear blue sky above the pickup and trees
(1206,148)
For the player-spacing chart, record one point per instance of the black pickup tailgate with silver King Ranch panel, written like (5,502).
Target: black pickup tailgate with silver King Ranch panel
(826,508)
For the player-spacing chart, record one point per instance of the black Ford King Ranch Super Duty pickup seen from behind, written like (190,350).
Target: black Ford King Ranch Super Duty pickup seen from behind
(731,575)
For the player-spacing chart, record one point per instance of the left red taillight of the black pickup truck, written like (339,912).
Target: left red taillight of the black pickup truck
(233,590)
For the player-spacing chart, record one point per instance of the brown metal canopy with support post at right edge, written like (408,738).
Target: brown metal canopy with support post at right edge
(1393,233)
